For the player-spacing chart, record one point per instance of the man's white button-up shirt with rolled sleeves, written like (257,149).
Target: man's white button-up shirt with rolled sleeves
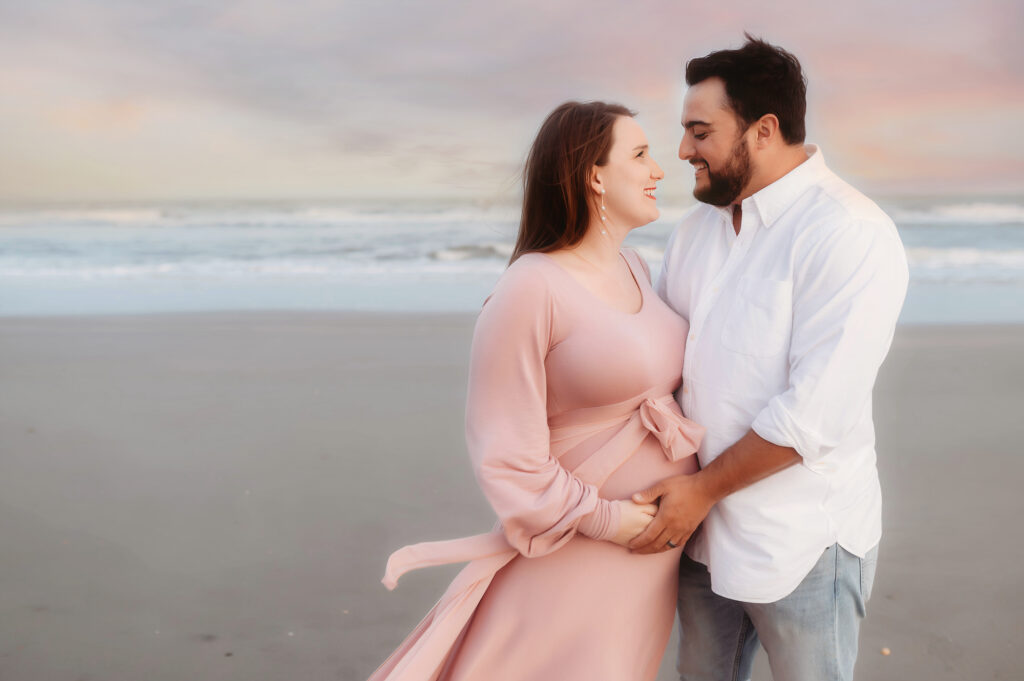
(790,321)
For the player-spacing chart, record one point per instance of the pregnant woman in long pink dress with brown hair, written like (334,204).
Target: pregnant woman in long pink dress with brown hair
(570,413)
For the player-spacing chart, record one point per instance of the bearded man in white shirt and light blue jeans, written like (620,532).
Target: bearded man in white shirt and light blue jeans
(792,283)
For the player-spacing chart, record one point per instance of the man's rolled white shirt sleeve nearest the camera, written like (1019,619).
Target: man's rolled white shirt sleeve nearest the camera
(848,291)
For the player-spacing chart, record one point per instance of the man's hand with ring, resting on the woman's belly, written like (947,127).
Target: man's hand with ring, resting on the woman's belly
(685,505)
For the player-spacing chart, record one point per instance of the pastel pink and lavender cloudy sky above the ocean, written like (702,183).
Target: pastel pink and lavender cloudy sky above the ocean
(154,100)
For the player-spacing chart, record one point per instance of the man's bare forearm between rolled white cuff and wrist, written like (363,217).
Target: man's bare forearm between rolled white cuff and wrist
(750,460)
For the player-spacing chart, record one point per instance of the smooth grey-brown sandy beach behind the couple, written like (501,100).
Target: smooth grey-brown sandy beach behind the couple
(215,496)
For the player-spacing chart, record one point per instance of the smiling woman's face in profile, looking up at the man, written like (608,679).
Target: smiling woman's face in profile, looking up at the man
(629,178)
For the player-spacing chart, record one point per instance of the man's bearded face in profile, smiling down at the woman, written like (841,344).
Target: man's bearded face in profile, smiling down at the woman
(715,145)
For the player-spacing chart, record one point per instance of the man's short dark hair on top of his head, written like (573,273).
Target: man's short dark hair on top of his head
(760,79)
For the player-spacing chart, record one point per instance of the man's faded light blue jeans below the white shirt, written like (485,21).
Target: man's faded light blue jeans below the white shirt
(810,635)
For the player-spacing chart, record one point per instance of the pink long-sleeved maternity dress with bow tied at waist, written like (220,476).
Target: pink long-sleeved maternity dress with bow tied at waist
(570,407)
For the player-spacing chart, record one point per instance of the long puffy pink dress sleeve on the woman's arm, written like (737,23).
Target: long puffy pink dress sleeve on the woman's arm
(540,504)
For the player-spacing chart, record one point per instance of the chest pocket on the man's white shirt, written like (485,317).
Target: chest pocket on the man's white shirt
(760,320)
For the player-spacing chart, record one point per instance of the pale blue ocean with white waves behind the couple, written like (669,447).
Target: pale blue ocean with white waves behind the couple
(966,256)
